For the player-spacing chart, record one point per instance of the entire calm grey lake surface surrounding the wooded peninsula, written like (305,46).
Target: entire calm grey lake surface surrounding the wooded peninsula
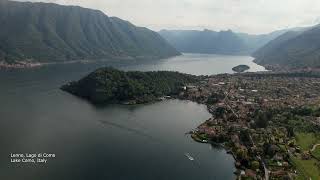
(113,142)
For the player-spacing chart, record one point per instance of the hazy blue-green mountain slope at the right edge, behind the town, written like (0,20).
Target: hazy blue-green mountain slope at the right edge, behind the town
(294,49)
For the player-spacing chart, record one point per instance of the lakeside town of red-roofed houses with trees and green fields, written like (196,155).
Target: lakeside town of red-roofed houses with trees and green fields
(268,121)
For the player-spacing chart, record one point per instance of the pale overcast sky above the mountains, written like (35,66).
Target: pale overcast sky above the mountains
(251,16)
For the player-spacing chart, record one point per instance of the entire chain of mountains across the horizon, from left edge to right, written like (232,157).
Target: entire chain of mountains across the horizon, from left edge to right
(46,32)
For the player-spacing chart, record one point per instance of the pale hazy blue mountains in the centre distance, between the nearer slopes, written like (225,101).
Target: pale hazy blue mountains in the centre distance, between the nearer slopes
(213,42)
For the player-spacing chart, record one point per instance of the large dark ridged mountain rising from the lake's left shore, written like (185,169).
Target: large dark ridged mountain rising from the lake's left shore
(45,32)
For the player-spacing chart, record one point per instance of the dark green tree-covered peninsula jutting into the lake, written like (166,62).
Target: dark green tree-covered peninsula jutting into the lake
(110,85)
